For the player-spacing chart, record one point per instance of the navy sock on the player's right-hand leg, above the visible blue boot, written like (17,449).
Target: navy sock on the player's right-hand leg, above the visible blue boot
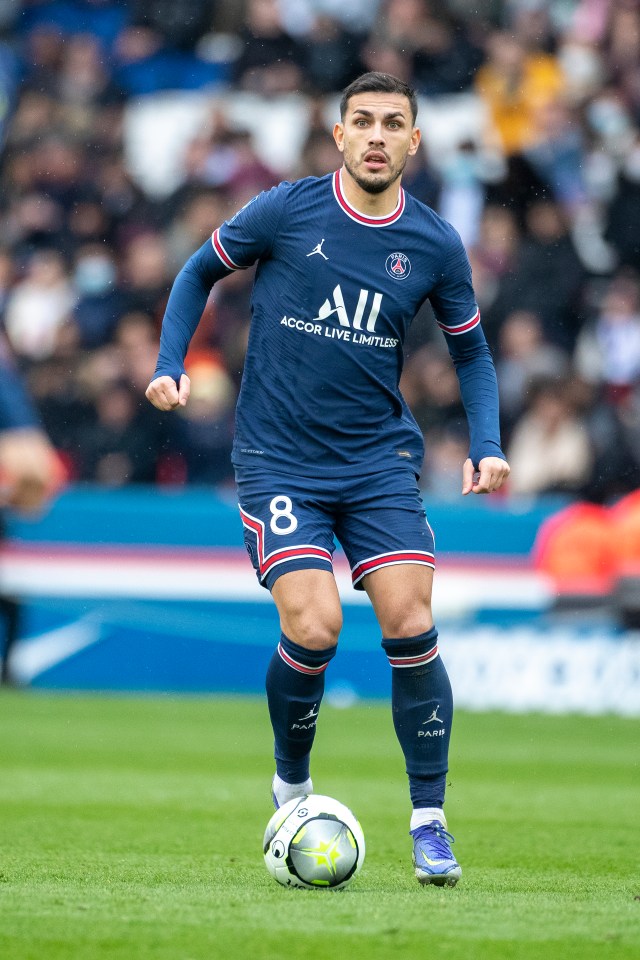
(422,706)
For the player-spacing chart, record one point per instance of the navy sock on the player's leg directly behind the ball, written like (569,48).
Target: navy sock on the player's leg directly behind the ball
(295,685)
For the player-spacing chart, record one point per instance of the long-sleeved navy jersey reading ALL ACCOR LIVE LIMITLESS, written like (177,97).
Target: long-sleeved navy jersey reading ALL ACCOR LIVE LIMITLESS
(334,296)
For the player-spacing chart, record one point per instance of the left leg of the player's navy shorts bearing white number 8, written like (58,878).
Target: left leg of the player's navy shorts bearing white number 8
(288,523)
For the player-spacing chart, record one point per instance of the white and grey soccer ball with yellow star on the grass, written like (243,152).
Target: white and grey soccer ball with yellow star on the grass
(314,842)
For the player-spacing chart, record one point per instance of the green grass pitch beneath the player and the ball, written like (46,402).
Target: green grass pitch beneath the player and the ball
(131,828)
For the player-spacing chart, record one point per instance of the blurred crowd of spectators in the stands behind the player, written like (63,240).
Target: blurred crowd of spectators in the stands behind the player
(546,198)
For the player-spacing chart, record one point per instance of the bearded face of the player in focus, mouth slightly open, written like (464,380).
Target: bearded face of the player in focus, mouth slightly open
(376,137)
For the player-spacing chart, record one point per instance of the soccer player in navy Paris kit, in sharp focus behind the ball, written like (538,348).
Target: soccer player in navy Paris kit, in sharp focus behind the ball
(325,444)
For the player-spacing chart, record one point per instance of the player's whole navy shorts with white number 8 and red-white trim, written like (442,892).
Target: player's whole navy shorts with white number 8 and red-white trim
(290,522)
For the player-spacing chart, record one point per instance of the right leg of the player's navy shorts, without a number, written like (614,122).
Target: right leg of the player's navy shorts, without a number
(382,523)
